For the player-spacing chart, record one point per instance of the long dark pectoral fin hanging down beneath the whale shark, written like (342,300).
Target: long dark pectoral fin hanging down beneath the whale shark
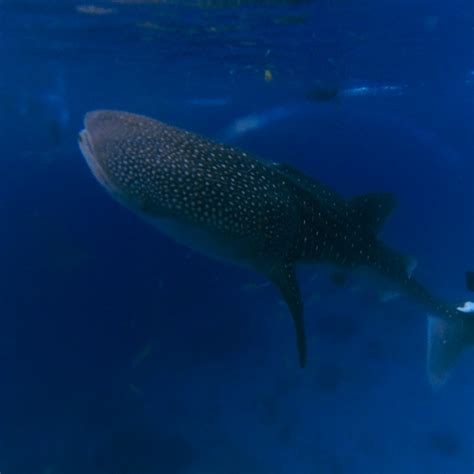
(284,278)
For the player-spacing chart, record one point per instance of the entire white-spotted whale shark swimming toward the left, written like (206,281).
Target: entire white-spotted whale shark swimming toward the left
(266,216)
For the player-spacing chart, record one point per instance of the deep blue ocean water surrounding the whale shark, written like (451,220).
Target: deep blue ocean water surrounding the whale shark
(122,352)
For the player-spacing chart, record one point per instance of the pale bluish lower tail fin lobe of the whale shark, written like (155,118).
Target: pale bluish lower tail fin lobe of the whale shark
(447,340)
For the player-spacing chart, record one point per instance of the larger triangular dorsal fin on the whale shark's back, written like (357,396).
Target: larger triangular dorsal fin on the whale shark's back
(373,209)
